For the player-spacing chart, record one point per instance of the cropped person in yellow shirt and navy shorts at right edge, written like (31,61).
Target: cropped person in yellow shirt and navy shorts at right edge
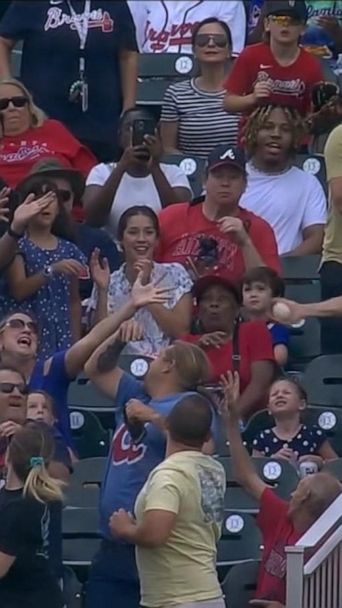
(331,268)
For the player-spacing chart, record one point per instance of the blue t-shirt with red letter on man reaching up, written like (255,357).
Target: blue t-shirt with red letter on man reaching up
(129,465)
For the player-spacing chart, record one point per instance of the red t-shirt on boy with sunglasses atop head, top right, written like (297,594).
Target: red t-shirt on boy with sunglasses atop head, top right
(291,85)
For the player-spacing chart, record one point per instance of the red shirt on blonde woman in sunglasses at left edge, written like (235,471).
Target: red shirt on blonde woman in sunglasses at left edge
(19,153)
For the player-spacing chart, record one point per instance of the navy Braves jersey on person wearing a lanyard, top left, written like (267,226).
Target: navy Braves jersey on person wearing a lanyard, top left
(50,59)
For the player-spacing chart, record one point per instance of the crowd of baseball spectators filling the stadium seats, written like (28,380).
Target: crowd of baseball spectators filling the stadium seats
(105,251)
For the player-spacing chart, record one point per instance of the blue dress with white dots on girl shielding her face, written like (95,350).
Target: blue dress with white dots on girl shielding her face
(51,303)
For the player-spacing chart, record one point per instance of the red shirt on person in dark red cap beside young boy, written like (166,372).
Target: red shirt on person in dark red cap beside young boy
(255,344)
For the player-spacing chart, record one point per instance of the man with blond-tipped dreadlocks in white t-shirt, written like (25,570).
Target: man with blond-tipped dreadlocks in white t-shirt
(291,200)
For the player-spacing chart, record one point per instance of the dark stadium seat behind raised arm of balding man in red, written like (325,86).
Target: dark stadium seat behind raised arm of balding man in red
(280,475)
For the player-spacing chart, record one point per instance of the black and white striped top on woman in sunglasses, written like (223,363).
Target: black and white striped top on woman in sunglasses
(202,121)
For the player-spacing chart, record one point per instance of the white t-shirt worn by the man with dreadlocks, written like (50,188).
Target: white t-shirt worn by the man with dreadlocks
(289,202)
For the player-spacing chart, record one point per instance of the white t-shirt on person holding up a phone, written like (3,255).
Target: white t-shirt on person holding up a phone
(135,190)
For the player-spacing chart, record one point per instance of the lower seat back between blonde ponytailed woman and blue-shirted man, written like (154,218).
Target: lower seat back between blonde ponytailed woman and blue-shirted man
(81,536)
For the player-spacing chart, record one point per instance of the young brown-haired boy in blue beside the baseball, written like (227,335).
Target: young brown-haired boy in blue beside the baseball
(259,286)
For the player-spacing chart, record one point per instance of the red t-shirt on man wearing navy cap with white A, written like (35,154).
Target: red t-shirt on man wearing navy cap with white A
(182,226)
